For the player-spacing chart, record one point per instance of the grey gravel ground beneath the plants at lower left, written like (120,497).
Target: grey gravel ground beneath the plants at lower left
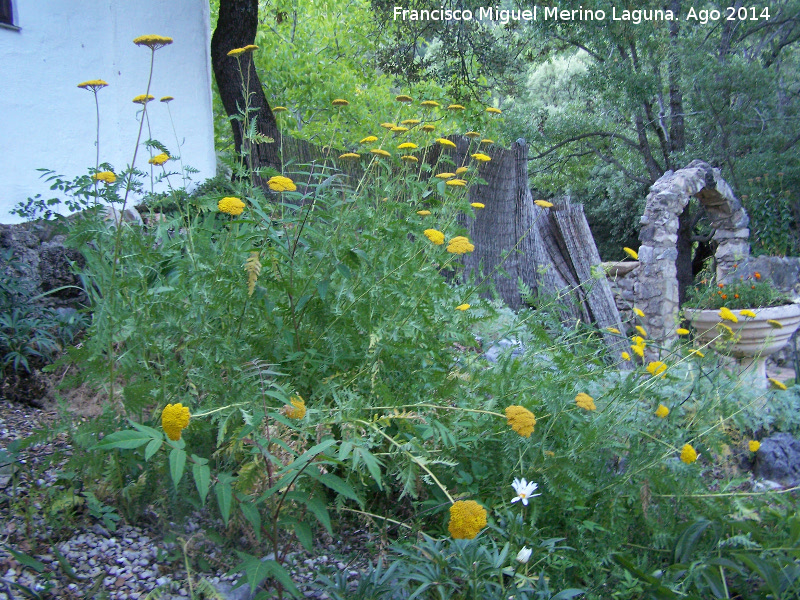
(133,560)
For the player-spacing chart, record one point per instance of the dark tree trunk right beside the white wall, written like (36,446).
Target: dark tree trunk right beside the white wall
(236,28)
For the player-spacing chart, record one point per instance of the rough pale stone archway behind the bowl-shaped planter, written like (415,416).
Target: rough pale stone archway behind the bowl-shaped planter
(656,287)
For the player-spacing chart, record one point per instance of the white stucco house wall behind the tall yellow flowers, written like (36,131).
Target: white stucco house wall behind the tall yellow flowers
(47,121)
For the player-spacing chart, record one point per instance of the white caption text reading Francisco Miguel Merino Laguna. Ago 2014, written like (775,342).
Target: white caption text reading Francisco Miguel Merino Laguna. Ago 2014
(553,13)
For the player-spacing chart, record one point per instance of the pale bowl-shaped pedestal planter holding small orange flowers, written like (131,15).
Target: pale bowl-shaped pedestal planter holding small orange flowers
(755,338)
